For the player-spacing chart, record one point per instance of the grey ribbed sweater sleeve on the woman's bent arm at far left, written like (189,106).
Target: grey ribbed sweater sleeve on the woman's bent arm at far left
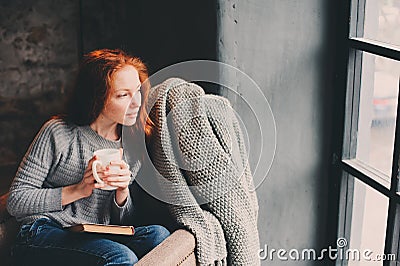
(27,196)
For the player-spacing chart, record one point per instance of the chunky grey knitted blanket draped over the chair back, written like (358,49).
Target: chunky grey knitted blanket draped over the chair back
(197,145)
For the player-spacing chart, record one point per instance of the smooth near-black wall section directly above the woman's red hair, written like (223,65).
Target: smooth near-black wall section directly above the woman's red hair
(161,33)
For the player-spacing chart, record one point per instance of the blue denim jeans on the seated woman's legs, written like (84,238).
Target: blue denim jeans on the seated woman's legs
(45,242)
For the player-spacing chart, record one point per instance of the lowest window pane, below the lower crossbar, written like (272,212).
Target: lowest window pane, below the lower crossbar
(368,224)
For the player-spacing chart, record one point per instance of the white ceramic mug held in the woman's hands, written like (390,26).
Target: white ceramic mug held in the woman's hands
(104,158)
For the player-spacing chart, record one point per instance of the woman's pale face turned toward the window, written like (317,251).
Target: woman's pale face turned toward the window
(125,98)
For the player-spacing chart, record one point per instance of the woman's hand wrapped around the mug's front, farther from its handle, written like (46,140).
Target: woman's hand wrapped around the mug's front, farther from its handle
(119,178)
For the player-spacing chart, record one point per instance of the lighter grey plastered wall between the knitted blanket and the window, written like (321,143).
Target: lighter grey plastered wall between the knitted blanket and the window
(285,47)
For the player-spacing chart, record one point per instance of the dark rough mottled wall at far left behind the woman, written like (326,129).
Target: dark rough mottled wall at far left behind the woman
(38,55)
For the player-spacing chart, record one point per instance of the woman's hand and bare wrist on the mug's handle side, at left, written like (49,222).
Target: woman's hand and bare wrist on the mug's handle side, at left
(84,188)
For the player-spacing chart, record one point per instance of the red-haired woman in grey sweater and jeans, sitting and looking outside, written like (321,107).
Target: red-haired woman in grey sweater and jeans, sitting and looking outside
(54,187)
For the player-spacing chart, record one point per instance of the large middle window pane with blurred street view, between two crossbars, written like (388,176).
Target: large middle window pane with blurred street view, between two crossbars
(377,112)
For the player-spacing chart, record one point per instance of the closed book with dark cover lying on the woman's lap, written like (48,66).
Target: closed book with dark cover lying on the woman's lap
(103,229)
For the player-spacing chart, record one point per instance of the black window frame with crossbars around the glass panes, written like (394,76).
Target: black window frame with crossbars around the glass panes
(347,88)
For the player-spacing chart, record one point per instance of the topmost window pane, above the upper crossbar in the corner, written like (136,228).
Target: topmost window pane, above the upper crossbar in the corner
(382,21)
